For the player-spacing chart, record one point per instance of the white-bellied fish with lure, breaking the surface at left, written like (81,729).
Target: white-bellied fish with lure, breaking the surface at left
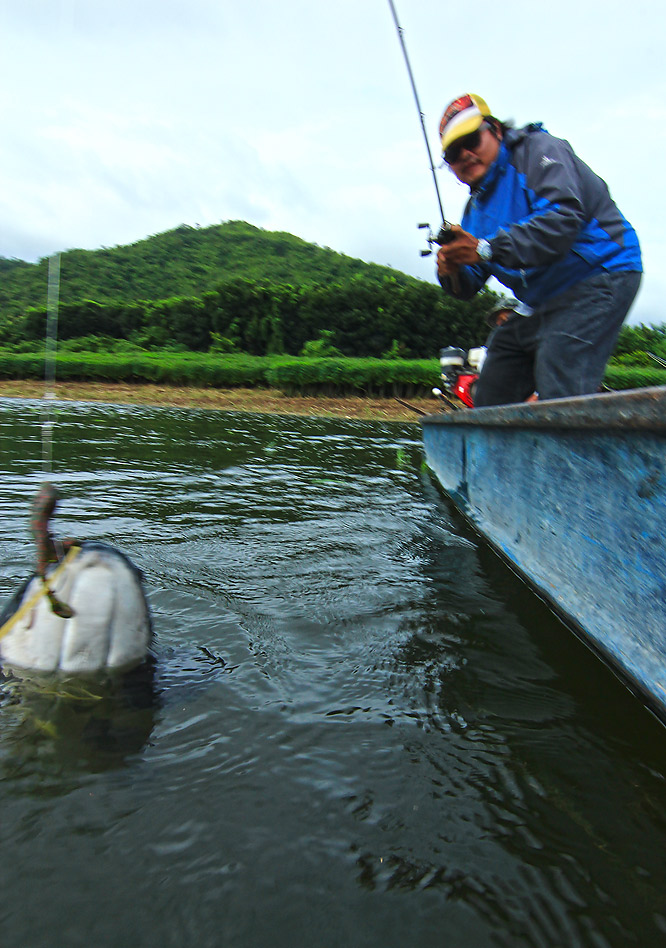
(81,612)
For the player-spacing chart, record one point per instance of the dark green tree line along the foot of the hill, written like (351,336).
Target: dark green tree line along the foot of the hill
(361,317)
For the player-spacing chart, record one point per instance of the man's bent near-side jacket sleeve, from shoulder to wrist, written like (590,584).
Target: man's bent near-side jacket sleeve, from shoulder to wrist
(554,193)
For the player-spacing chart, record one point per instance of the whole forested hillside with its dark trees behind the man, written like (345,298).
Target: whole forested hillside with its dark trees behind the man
(234,288)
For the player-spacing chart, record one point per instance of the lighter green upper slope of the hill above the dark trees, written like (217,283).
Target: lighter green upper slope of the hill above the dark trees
(187,261)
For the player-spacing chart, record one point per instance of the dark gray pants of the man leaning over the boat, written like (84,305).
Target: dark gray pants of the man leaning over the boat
(562,348)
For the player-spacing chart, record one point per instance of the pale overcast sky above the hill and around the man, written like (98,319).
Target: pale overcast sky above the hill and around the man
(125,118)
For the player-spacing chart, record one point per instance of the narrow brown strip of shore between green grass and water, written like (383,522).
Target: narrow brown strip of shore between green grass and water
(238,399)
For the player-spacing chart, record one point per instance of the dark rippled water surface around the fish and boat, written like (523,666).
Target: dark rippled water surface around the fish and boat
(360,729)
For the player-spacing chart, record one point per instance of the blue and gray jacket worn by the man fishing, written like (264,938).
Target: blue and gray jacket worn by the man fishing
(550,221)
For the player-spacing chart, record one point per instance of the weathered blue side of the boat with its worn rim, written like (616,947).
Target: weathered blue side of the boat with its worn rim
(573,494)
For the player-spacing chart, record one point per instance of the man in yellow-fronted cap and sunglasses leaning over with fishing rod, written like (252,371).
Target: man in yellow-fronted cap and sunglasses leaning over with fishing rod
(544,224)
